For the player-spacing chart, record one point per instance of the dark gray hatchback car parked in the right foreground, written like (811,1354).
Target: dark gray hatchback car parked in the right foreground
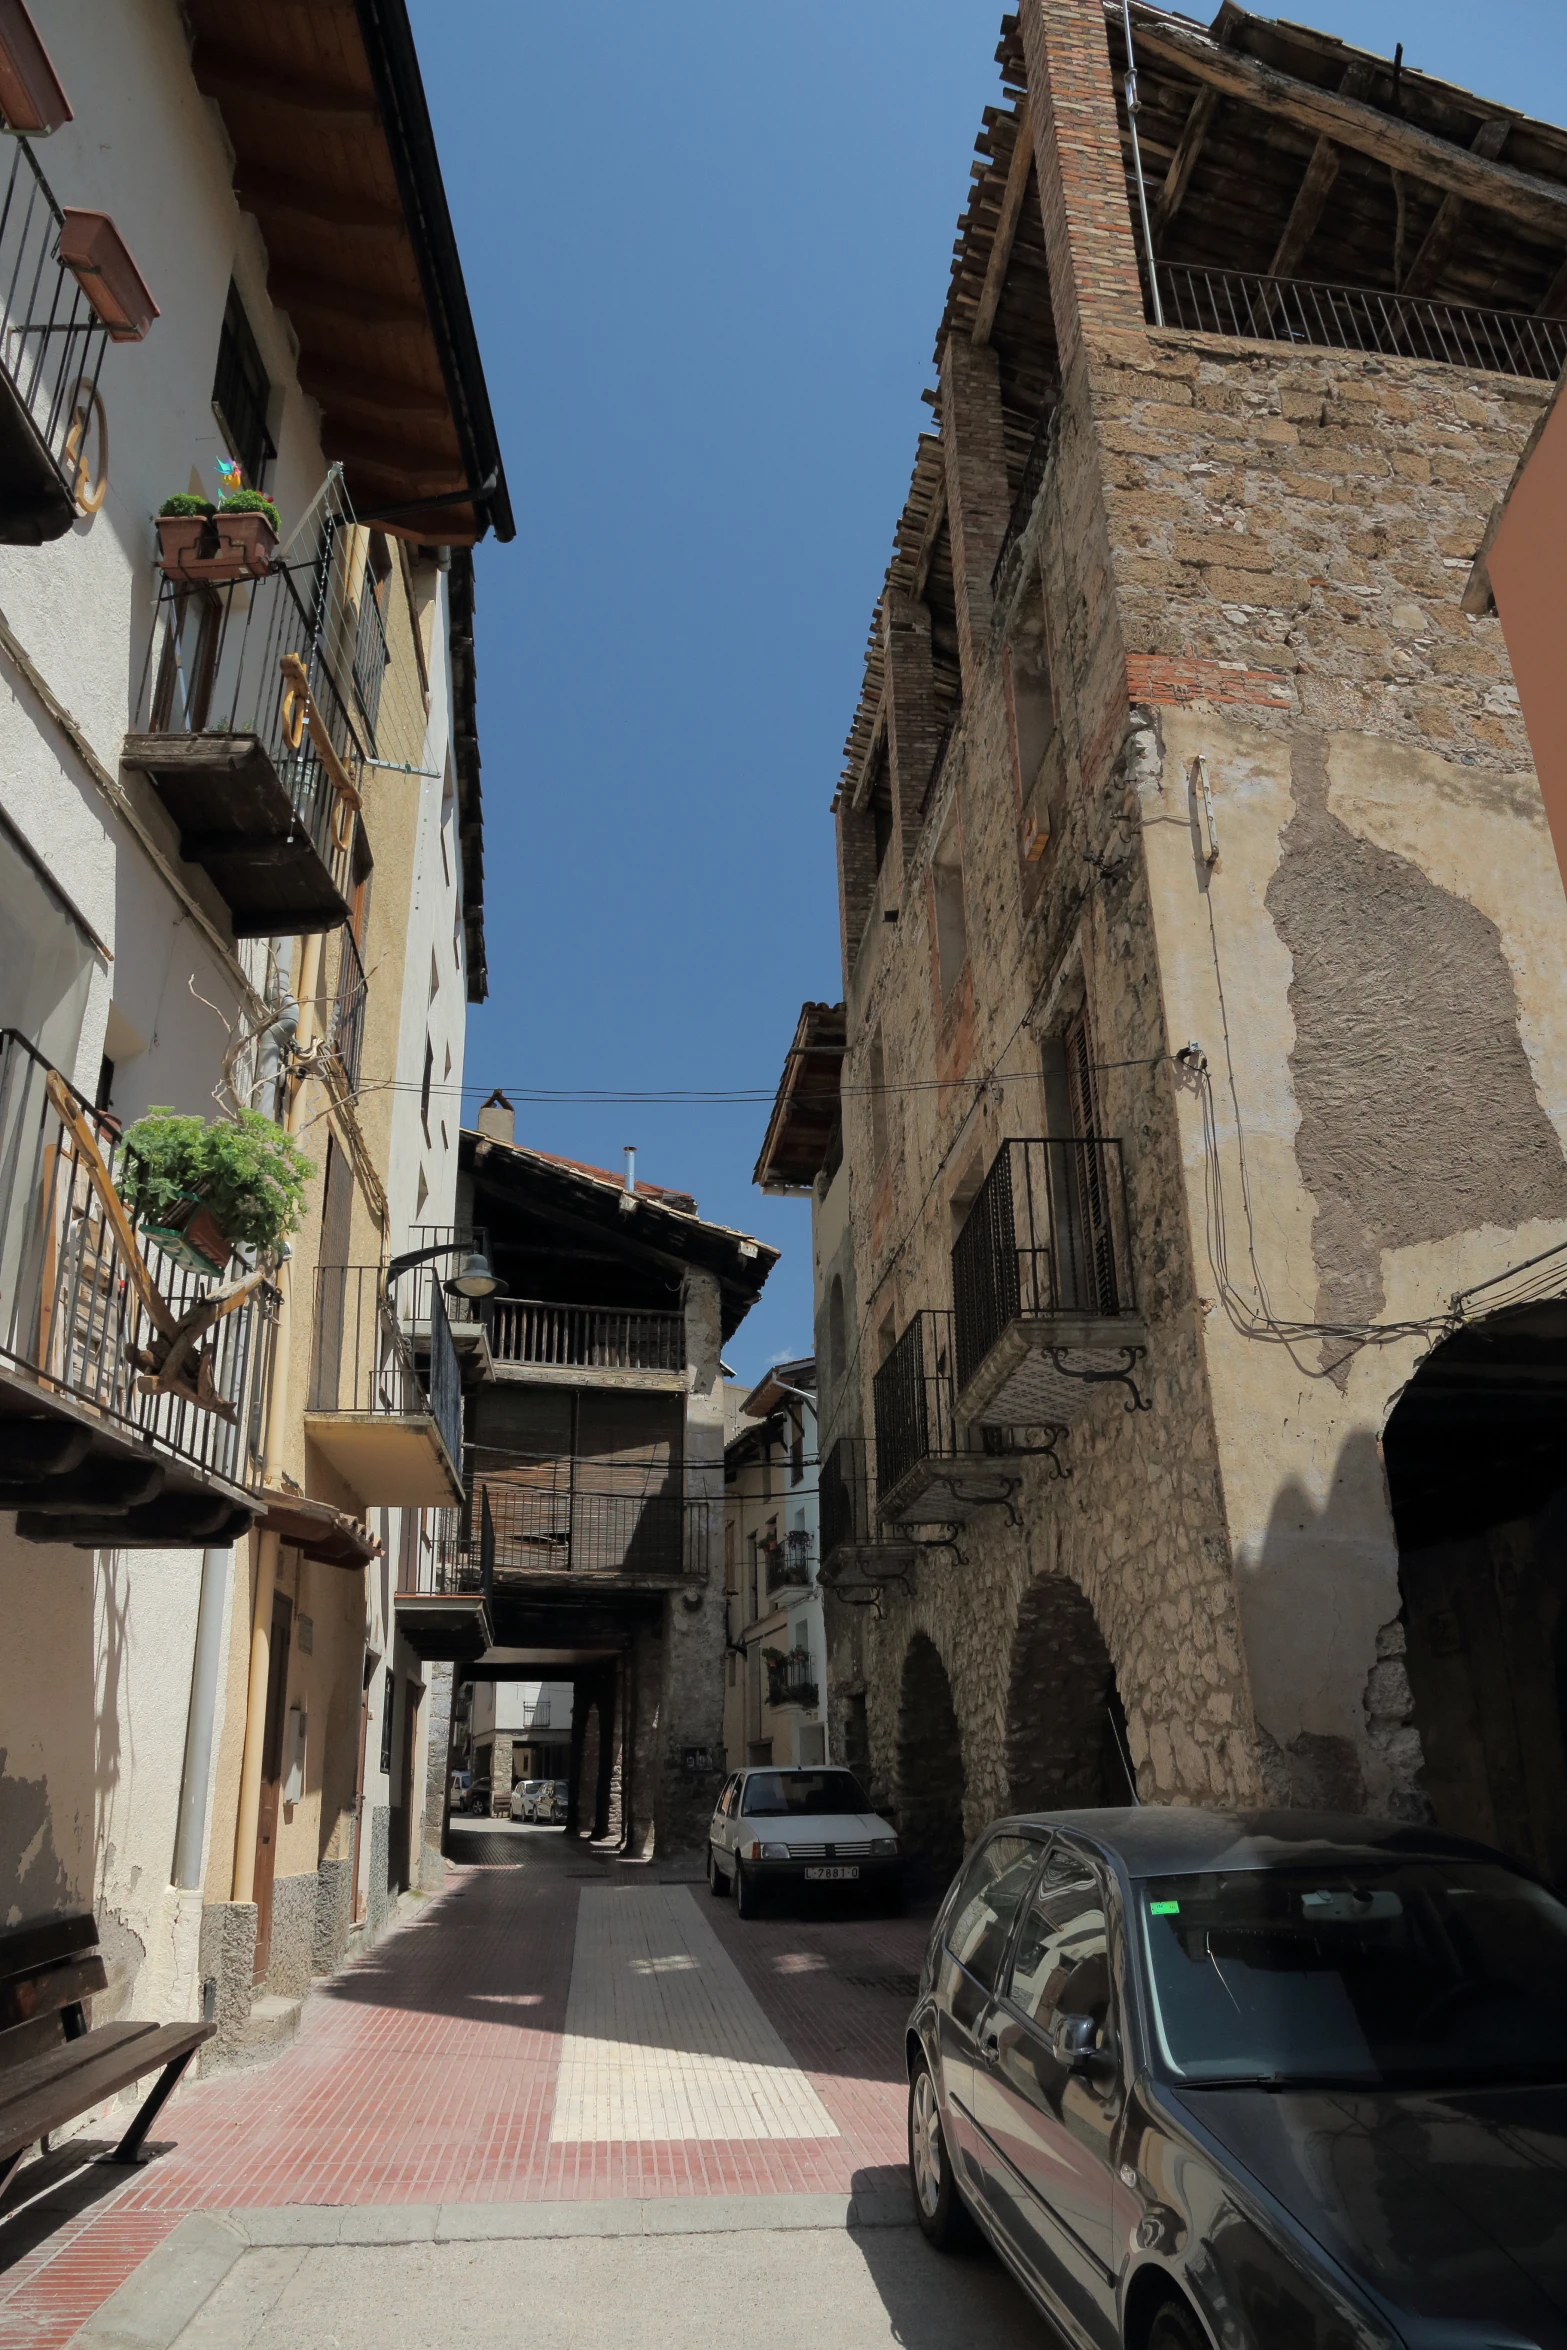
(1270,2079)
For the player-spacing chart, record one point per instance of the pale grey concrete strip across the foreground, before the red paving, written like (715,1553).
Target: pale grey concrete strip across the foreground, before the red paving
(633,2276)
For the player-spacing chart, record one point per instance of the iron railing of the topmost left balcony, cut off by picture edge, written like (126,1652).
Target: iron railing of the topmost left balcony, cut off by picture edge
(53,340)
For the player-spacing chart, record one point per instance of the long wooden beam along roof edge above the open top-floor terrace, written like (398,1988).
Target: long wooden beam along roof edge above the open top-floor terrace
(1401,147)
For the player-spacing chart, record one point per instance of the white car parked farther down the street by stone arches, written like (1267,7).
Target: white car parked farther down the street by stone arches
(800,1825)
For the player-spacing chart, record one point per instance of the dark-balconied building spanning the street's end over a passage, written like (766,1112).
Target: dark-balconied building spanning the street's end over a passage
(591,1540)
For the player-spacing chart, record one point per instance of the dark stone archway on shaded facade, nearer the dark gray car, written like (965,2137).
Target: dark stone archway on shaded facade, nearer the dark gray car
(1065,1728)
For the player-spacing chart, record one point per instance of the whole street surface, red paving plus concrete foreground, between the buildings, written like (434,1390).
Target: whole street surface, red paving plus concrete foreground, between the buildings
(549,2107)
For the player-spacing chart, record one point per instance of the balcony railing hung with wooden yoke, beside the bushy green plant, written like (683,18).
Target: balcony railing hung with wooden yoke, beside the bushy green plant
(72,1320)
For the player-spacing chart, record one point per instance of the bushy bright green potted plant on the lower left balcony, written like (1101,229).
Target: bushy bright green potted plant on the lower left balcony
(201,1188)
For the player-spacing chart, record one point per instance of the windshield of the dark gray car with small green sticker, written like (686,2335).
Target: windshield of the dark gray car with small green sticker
(1404,1973)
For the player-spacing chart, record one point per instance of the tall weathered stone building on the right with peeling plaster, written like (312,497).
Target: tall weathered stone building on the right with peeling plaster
(1195,1329)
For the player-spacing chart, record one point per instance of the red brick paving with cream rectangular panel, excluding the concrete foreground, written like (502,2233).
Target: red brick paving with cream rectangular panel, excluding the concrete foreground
(539,2036)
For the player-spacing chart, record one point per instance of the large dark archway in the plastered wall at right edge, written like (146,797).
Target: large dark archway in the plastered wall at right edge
(1477,1458)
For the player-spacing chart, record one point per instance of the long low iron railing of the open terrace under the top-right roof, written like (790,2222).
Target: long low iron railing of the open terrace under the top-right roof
(1357,318)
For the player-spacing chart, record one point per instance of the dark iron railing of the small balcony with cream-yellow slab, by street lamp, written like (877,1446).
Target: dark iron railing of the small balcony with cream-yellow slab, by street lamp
(365,1364)
